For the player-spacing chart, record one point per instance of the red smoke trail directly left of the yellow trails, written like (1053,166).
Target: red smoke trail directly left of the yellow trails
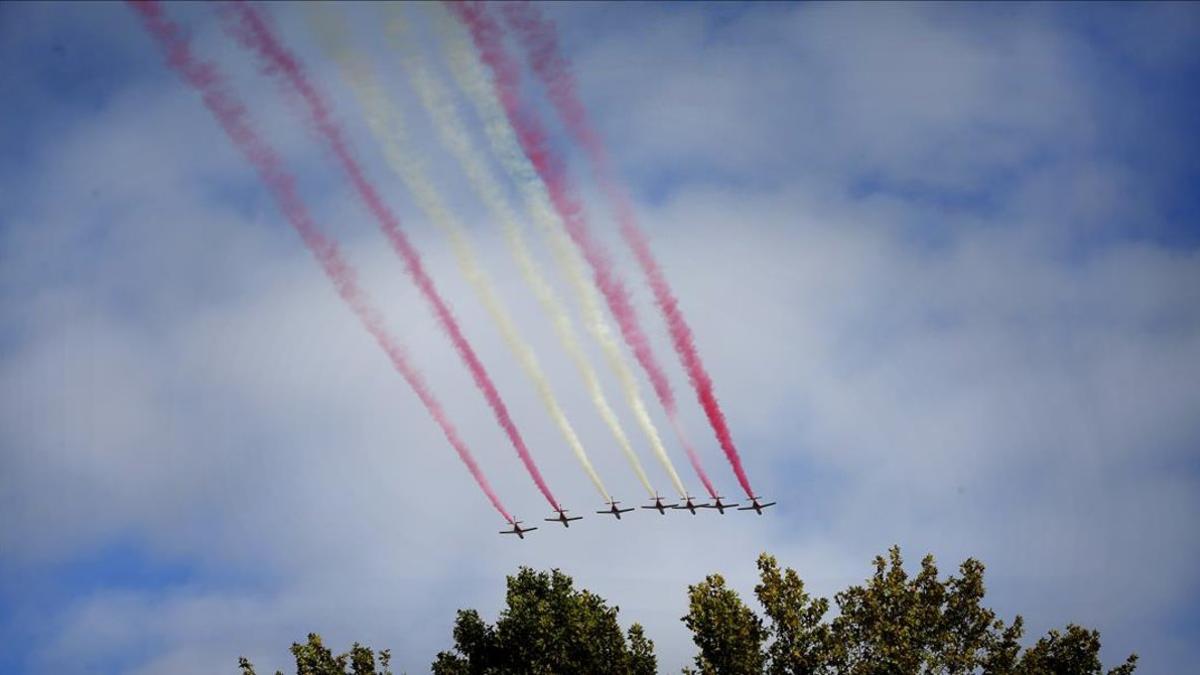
(254,33)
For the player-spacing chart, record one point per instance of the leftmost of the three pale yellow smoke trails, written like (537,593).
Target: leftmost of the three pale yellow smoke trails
(387,124)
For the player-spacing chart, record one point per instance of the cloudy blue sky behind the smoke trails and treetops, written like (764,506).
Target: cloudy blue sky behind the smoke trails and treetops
(941,261)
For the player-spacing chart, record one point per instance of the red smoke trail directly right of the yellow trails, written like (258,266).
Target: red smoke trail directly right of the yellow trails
(489,40)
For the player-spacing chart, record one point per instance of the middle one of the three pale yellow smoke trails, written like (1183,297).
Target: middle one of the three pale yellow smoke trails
(454,135)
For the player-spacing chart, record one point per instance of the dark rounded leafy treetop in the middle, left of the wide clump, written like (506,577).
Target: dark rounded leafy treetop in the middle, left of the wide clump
(548,626)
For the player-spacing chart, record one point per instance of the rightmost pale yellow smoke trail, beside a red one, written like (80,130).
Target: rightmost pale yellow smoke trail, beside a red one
(470,76)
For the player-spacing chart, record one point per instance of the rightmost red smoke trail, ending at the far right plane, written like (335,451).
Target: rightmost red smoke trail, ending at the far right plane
(541,43)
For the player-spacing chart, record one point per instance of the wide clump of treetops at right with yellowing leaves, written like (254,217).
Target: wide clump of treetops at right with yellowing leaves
(893,625)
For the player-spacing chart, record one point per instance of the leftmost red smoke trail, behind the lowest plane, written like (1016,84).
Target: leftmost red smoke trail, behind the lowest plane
(231,114)
